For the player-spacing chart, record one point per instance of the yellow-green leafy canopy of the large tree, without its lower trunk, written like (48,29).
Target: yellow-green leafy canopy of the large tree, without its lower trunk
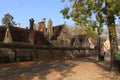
(82,10)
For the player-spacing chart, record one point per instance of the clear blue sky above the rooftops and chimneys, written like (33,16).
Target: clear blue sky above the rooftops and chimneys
(23,10)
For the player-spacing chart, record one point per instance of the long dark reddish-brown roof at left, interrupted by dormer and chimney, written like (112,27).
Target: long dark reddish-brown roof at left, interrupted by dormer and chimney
(22,35)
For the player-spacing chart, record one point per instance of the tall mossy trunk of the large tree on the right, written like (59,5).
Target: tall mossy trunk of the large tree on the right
(112,38)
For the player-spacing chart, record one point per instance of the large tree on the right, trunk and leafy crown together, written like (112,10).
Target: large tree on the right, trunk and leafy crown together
(105,12)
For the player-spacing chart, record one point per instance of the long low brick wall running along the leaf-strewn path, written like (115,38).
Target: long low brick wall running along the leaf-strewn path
(35,54)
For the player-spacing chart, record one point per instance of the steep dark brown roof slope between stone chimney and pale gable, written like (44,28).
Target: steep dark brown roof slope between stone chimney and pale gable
(56,31)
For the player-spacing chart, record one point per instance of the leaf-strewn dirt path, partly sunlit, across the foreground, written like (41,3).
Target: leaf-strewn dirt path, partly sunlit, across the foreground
(80,69)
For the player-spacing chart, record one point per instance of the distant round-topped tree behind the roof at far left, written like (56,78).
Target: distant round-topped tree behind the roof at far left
(7,20)
